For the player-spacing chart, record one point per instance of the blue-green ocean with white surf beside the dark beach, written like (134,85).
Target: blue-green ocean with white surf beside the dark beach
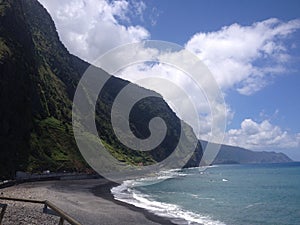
(260,194)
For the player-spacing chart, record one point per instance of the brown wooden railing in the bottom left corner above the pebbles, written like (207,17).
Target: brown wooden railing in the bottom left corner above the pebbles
(56,211)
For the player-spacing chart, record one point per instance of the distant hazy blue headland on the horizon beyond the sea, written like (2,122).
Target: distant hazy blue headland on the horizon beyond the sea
(236,155)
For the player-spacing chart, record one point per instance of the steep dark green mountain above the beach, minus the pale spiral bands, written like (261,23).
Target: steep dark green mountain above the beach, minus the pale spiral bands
(38,79)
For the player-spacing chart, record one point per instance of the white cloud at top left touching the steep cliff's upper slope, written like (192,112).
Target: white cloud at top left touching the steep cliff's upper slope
(89,28)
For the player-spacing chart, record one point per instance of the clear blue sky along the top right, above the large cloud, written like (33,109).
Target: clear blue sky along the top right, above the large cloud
(178,21)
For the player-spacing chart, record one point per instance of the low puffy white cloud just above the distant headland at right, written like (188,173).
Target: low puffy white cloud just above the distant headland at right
(261,136)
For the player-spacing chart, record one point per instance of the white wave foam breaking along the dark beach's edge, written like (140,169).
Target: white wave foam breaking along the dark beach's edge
(126,193)
